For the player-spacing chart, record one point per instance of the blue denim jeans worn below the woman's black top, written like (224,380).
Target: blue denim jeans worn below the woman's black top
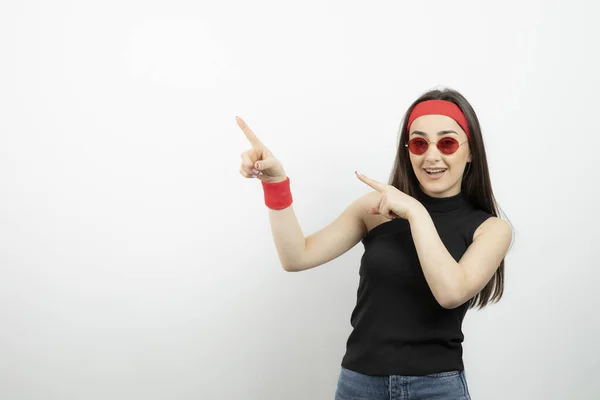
(451,385)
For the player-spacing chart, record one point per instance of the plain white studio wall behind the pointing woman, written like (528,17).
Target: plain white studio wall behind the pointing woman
(137,263)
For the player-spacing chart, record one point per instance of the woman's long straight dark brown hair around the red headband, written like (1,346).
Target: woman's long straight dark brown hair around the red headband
(476,185)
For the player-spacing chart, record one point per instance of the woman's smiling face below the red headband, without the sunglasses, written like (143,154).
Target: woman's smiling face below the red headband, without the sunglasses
(448,182)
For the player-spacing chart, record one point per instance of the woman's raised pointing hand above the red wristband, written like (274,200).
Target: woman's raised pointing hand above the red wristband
(258,161)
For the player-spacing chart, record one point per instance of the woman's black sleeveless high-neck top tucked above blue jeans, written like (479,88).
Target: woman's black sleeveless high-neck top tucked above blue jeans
(399,328)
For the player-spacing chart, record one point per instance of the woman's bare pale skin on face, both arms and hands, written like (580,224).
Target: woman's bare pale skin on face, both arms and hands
(452,283)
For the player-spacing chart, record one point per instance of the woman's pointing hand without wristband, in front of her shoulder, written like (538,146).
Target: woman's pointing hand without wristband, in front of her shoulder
(393,202)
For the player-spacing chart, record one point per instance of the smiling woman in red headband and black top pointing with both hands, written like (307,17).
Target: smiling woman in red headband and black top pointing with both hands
(434,247)
